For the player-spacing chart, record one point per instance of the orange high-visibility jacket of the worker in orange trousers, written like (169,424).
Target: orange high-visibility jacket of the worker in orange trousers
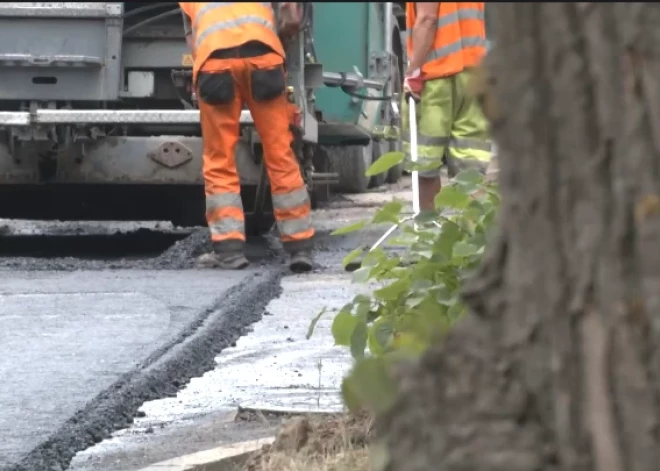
(225,25)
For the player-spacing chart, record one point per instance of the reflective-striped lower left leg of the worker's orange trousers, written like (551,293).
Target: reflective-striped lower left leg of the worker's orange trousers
(222,213)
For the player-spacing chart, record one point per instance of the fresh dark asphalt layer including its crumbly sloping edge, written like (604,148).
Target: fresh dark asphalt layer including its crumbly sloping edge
(83,344)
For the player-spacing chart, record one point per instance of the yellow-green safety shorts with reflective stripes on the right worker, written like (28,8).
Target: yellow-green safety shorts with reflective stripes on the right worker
(451,128)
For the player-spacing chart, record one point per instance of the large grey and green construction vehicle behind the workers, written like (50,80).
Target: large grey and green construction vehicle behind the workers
(98,118)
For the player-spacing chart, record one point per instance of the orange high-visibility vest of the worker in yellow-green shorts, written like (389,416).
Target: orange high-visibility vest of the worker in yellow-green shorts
(460,38)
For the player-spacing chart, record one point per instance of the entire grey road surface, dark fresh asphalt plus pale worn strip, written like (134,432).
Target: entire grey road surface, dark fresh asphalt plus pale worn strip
(91,348)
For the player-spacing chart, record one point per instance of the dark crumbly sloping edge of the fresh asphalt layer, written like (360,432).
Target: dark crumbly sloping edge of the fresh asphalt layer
(161,375)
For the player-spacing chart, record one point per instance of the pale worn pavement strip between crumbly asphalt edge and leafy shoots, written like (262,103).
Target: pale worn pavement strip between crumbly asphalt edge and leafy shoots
(273,370)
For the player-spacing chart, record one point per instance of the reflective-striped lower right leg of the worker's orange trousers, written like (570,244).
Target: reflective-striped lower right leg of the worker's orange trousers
(292,211)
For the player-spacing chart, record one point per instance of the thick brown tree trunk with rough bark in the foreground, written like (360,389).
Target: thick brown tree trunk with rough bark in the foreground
(558,365)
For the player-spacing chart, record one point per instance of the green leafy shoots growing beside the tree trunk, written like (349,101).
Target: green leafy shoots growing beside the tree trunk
(416,291)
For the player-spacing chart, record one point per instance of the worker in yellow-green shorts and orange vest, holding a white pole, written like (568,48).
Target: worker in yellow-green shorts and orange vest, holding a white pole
(445,41)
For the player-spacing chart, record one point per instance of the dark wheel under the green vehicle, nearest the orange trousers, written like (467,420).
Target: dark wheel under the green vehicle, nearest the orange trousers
(351,163)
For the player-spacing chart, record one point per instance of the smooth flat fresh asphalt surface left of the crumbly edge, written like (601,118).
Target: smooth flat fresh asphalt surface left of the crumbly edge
(64,337)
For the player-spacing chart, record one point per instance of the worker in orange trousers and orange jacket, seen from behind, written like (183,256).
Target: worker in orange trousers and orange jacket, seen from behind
(238,58)
